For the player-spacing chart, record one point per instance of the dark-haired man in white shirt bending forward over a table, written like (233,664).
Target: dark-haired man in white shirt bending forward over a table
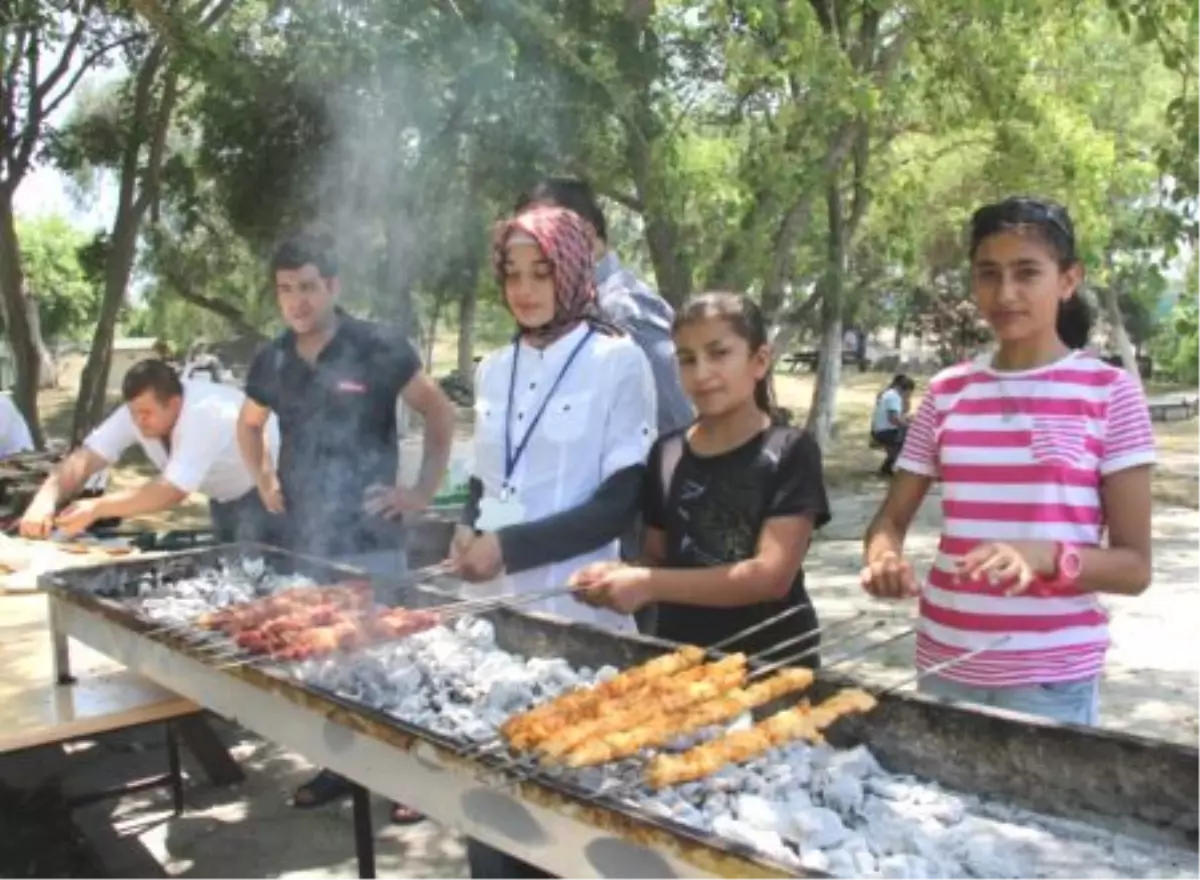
(189,433)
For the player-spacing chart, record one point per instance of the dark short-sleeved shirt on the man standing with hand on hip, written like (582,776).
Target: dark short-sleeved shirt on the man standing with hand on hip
(338,433)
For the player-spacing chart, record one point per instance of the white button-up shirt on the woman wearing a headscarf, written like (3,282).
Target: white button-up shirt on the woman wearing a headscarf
(602,420)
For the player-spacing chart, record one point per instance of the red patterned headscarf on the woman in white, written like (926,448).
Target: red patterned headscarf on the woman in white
(567,242)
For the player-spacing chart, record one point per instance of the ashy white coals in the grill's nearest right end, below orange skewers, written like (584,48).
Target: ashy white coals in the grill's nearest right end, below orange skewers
(841,813)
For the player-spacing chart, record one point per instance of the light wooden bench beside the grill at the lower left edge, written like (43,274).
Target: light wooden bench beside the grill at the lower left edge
(56,715)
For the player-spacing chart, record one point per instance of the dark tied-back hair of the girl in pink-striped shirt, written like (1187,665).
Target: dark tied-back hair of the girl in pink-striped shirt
(1052,225)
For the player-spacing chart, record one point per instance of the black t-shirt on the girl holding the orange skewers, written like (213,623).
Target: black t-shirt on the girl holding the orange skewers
(715,513)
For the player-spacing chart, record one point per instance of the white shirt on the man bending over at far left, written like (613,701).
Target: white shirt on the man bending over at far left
(205,456)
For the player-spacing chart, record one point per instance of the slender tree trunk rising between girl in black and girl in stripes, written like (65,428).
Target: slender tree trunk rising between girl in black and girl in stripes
(825,390)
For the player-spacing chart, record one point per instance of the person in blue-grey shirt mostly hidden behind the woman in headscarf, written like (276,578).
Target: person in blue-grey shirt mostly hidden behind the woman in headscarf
(635,308)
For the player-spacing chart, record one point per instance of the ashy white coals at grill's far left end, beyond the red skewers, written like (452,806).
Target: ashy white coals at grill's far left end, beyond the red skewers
(184,600)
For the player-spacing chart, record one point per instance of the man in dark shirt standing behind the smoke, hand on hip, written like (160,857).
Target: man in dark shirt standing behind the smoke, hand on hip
(334,382)
